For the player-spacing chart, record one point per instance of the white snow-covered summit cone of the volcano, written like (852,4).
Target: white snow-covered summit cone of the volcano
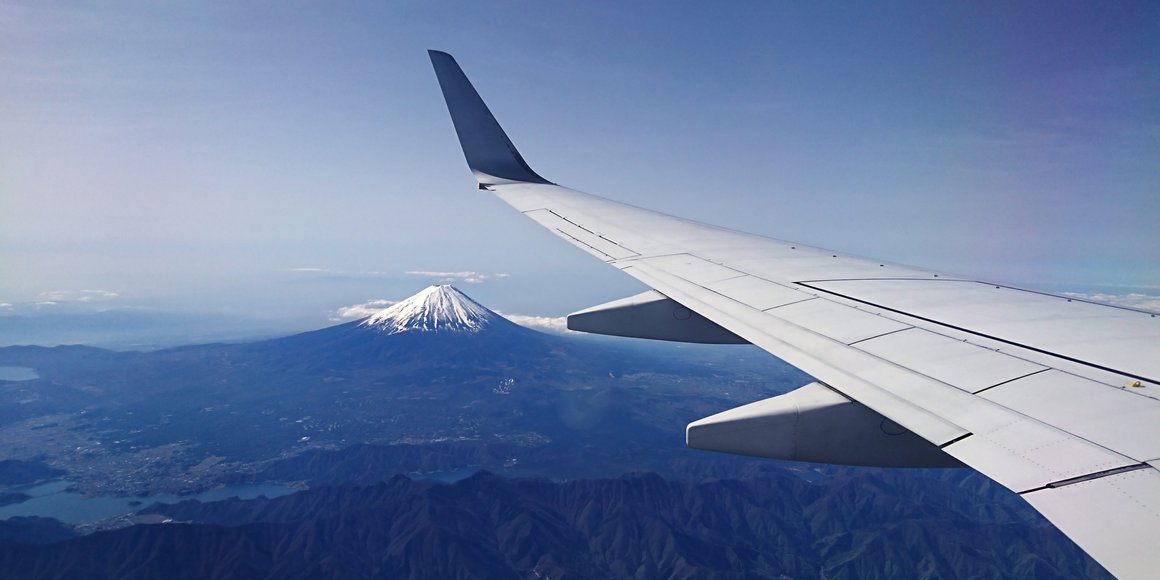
(436,309)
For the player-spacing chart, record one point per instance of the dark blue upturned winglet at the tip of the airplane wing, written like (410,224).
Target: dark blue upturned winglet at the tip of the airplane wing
(490,154)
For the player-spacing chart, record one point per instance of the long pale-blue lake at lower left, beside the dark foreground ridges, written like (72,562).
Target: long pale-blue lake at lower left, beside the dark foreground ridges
(53,501)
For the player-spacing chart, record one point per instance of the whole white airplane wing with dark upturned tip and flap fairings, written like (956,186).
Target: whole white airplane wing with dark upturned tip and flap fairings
(1057,400)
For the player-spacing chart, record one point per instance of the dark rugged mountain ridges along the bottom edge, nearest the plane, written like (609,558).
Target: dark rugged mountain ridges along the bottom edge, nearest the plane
(641,526)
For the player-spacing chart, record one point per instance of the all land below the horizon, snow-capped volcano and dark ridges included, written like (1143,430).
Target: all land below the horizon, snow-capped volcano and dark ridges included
(582,445)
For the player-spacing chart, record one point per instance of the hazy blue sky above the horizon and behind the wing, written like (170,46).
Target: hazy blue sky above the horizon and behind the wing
(289,159)
